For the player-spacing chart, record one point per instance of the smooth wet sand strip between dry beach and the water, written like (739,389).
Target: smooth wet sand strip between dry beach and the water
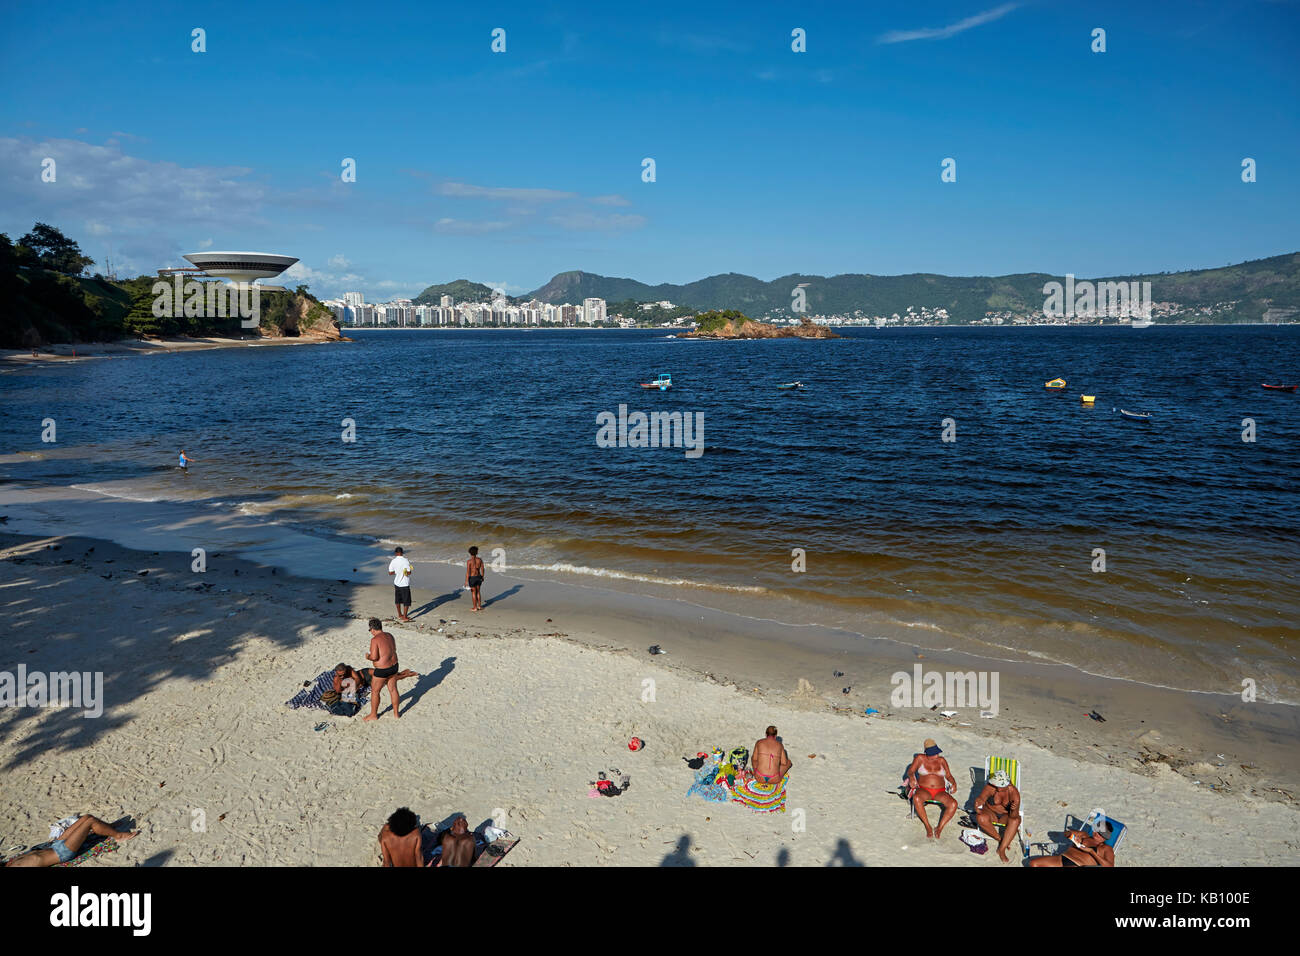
(1203,737)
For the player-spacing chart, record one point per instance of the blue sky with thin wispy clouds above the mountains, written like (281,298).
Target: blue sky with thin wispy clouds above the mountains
(508,168)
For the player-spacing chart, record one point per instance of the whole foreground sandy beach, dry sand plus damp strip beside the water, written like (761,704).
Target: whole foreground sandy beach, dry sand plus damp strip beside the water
(518,711)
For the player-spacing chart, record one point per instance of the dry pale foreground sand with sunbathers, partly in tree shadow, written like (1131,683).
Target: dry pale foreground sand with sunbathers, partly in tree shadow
(513,728)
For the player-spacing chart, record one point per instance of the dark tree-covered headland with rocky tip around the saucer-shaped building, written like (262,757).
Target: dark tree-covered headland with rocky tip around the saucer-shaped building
(47,300)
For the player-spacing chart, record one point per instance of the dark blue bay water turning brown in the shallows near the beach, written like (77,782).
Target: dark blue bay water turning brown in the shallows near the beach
(987,544)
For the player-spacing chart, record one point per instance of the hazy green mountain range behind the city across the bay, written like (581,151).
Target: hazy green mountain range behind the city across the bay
(1254,288)
